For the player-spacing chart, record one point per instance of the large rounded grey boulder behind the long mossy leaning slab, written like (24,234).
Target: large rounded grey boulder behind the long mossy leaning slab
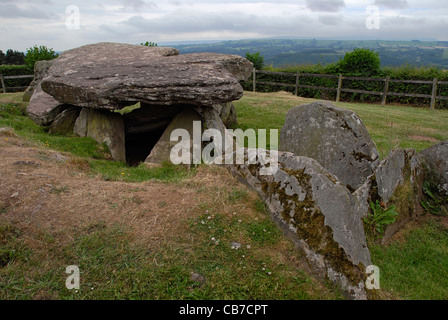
(335,137)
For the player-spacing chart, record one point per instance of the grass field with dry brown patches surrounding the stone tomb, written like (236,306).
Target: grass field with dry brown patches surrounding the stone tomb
(133,239)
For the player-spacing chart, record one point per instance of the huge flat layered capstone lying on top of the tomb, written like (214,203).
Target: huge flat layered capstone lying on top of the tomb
(113,75)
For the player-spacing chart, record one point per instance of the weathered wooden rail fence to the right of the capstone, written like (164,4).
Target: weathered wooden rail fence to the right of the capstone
(384,94)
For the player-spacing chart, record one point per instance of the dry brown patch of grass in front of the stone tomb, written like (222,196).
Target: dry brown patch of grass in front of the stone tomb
(43,189)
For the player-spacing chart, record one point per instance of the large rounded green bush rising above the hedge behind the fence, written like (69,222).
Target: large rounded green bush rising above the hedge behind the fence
(360,62)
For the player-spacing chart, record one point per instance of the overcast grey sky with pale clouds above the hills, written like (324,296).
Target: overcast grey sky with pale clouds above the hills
(24,23)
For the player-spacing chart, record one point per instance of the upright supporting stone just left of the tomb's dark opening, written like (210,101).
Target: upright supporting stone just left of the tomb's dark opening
(104,127)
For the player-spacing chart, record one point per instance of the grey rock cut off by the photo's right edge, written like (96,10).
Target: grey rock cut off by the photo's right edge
(436,158)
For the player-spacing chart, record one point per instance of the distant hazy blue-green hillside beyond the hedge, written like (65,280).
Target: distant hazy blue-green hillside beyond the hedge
(280,52)
